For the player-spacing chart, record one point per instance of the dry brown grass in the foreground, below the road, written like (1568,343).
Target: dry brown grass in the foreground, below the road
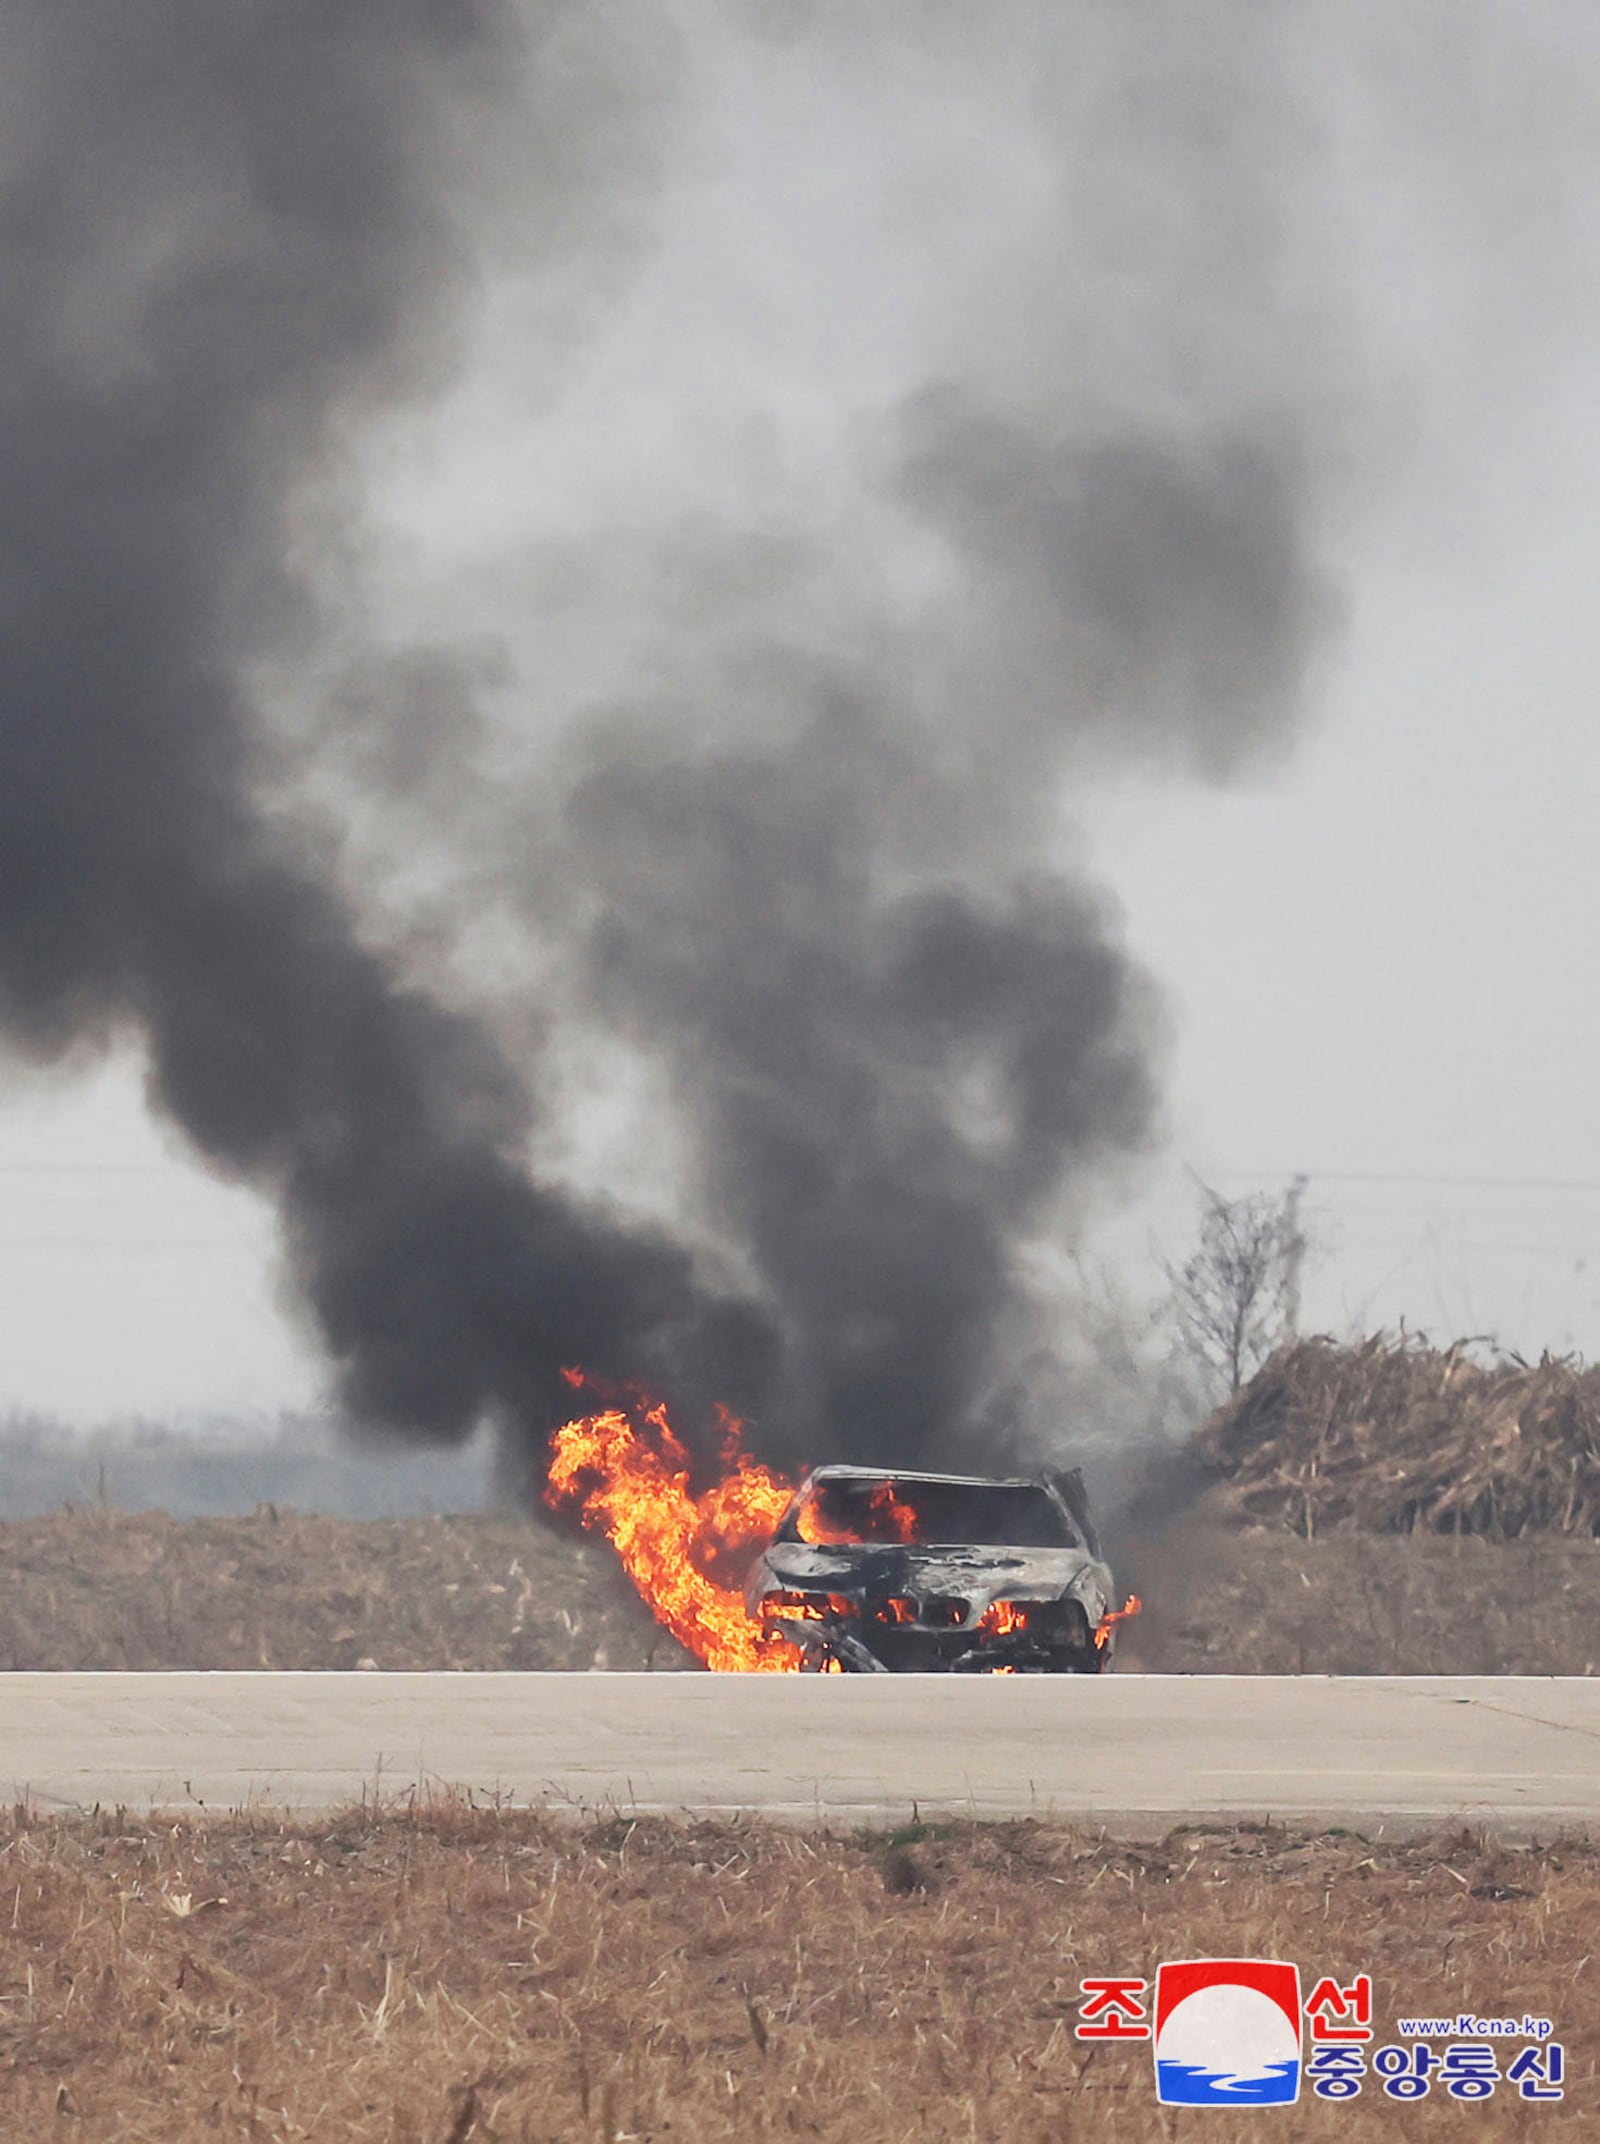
(458,1976)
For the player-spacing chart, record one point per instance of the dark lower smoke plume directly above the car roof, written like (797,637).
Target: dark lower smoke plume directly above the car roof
(887,1084)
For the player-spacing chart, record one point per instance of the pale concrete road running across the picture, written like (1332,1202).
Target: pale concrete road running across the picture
(1134,1753)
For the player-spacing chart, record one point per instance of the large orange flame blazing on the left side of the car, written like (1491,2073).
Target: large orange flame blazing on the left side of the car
(629,1476)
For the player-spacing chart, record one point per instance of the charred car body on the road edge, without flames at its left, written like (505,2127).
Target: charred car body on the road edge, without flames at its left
(883,1573)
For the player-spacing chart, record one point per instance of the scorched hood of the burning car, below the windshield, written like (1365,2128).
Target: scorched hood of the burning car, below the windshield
(977,1575)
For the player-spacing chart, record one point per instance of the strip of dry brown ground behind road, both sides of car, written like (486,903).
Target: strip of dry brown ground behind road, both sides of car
(110,1590)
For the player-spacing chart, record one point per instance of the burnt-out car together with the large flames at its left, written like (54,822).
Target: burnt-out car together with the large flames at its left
(853,1573)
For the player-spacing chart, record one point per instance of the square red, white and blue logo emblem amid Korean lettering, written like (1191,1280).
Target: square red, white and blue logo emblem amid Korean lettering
(1228,2034)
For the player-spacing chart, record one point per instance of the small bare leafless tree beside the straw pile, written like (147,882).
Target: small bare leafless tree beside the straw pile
(1239,1294)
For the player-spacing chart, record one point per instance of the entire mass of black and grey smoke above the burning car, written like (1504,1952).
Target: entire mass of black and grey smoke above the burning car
(1065,284)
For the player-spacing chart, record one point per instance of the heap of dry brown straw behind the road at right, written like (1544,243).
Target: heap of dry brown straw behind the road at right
(1402,1438)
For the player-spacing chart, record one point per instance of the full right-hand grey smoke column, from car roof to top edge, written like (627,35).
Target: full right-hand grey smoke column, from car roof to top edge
(820,874)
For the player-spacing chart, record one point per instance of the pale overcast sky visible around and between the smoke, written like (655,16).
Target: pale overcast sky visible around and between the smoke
(1374,938)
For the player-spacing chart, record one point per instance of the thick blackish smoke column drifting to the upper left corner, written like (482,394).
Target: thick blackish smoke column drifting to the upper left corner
(231,235)
